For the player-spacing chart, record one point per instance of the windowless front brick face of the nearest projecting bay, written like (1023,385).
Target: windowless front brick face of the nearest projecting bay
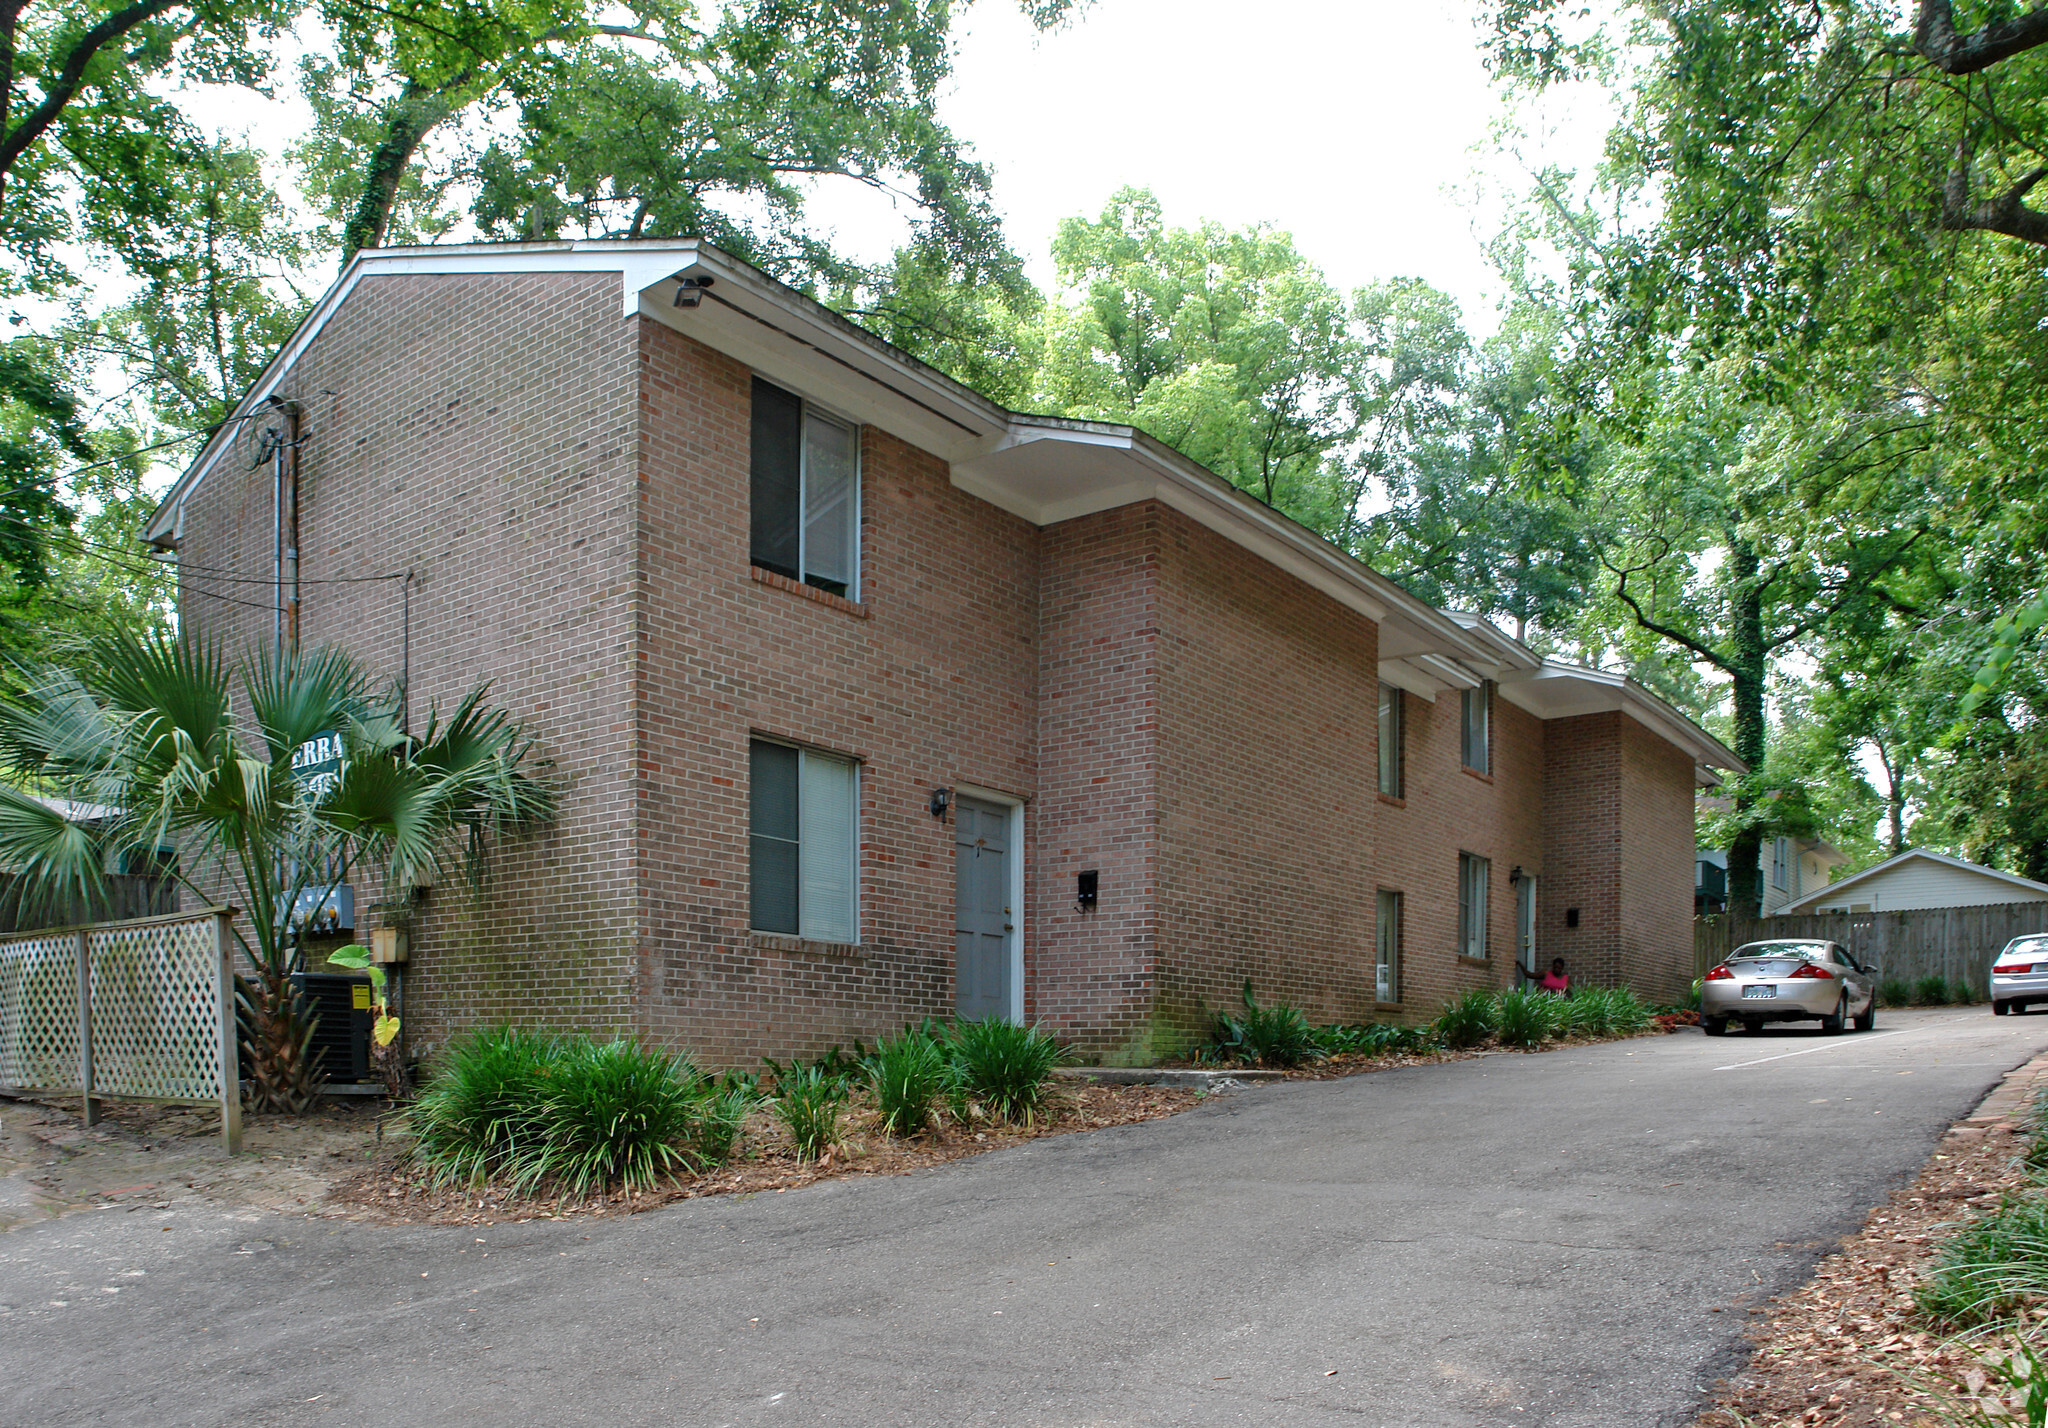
(1269,726)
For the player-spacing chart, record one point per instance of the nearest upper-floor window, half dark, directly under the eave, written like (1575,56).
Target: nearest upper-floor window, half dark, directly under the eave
(806,493)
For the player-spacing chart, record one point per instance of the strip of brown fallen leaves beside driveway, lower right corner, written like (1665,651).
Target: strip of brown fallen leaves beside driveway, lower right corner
(1848,1351)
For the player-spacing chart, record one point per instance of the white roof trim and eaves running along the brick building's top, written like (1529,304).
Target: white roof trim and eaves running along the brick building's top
(1039,468)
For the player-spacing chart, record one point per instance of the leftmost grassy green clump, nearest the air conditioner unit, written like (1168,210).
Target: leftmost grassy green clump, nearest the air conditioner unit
(484,1107)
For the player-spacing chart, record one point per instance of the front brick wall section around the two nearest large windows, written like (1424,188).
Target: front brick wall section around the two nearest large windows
(931,681)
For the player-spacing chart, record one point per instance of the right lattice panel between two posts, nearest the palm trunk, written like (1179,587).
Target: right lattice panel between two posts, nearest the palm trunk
(155,1011)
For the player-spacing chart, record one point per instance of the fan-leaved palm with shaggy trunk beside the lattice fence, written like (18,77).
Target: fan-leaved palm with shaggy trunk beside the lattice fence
(155,743)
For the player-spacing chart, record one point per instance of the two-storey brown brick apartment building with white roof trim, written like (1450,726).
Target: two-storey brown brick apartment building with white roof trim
(871,700)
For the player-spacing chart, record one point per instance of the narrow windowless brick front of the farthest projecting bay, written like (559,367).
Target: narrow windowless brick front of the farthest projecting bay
(1658,866)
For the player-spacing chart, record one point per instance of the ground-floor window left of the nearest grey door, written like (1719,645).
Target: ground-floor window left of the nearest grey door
(804,843)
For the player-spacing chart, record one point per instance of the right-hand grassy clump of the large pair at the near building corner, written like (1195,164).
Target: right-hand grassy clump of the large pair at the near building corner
(615,1116)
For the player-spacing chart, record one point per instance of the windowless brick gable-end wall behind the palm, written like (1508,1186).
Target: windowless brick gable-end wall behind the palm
(476,431)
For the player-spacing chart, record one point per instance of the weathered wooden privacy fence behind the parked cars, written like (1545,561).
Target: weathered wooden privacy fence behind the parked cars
(1955,943)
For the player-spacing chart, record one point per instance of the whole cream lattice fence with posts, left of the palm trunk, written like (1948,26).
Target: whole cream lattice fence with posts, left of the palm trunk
(126,1011)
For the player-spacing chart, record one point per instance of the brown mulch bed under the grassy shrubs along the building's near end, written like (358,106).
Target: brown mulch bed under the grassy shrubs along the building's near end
(398,1193)
